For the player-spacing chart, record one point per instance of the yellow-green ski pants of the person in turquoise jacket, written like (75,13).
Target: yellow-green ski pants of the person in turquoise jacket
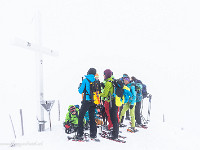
(132,113)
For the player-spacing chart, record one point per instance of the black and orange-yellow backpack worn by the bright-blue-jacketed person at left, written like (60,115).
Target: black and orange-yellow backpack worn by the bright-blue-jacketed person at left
(94,92)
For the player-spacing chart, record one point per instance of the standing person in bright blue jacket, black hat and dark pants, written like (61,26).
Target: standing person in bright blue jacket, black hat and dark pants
(87,105)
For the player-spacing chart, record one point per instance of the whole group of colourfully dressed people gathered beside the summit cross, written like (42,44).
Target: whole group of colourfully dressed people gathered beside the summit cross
(112,97)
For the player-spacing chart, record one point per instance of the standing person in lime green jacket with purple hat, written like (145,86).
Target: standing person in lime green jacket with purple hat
(113,109)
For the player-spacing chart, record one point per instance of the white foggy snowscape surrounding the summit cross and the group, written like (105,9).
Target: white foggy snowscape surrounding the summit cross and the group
(156,41)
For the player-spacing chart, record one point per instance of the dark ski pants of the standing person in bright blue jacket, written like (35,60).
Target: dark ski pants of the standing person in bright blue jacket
(87,106)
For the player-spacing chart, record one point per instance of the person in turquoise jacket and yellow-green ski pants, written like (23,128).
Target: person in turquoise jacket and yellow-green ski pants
(130,102)
